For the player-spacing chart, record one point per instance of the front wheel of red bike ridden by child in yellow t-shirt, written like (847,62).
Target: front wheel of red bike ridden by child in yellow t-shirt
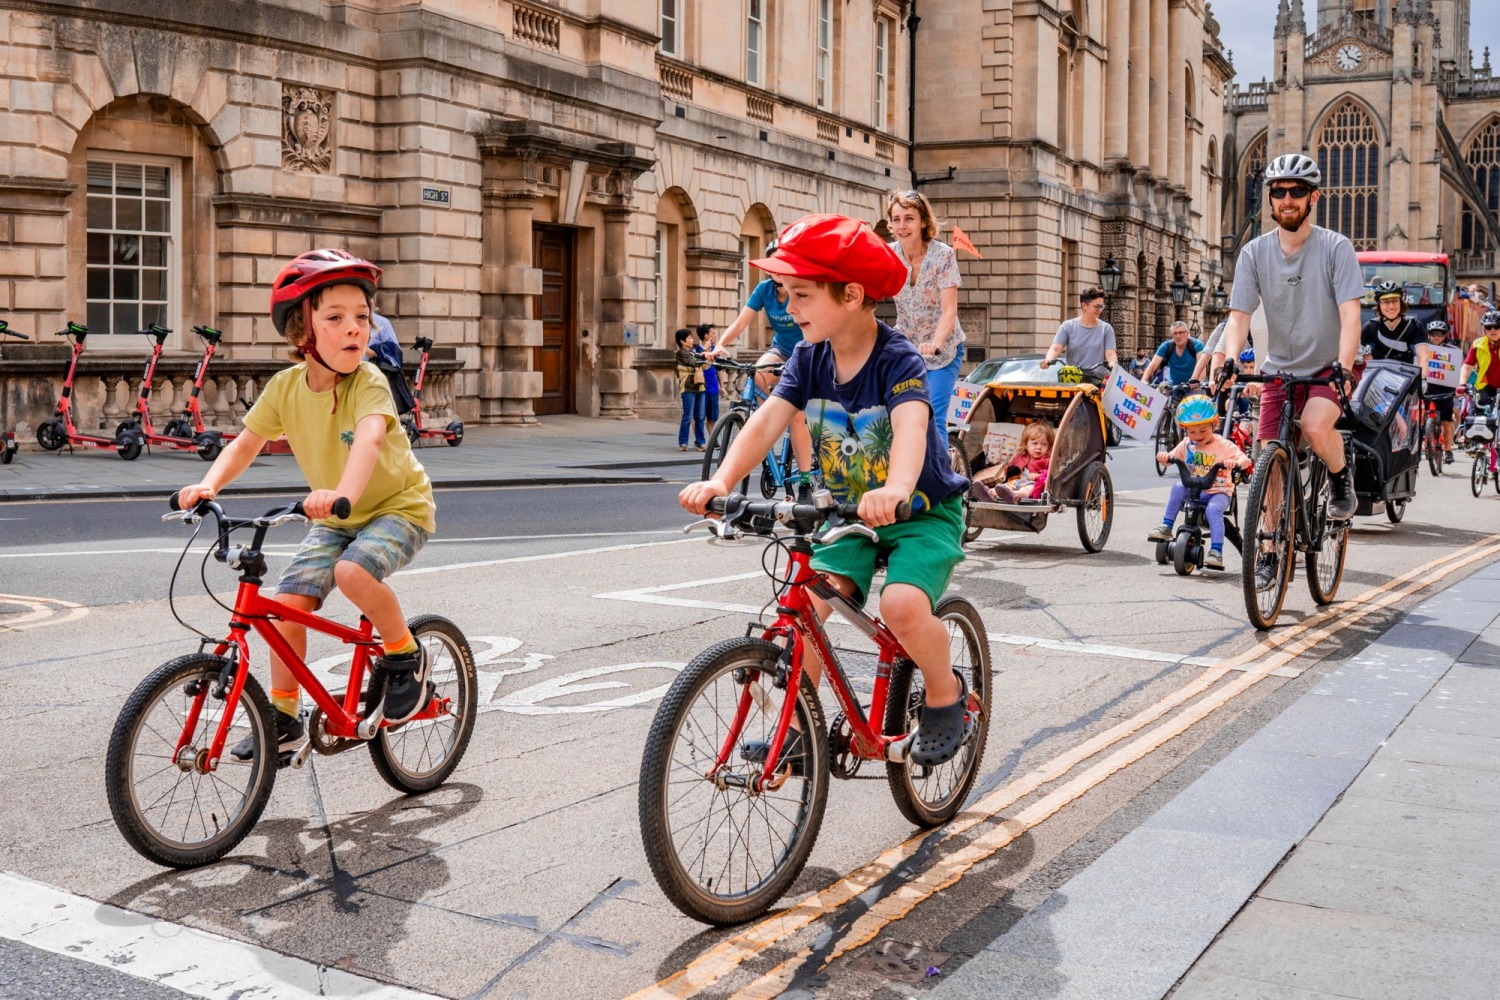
(134,818)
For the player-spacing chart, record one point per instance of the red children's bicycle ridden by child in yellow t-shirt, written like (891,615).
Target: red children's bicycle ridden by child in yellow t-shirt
(175,794)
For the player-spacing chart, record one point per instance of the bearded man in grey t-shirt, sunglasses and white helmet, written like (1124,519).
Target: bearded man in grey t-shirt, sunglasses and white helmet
(1309,281)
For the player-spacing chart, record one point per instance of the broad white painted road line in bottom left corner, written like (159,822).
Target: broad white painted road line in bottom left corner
(185,959)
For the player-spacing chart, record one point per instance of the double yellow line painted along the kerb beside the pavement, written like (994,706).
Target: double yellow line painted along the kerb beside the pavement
(1258,663)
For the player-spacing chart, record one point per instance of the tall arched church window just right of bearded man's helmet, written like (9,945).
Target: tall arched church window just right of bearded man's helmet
(1349,155)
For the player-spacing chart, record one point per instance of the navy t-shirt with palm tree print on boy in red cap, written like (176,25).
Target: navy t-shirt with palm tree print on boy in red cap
(851,422)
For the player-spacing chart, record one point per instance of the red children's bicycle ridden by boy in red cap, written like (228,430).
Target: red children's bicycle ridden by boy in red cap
(727,819)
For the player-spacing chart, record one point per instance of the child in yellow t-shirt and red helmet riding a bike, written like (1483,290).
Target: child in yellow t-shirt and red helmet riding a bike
(341,424)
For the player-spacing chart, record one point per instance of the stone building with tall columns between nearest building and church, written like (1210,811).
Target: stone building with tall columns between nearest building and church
(1061,133)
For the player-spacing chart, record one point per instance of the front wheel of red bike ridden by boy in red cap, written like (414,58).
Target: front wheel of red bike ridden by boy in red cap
(694,882)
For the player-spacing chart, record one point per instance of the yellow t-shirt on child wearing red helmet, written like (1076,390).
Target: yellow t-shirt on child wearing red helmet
(322,439)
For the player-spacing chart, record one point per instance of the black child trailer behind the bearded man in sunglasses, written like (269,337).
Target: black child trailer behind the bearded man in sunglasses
(1385,418)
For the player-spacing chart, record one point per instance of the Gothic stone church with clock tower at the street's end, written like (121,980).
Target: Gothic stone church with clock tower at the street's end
(1385,95)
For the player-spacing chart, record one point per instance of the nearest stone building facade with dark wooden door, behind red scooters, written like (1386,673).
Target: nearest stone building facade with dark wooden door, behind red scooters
(551,185)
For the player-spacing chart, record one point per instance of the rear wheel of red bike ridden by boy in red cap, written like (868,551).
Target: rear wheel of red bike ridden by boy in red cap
(931,797)
